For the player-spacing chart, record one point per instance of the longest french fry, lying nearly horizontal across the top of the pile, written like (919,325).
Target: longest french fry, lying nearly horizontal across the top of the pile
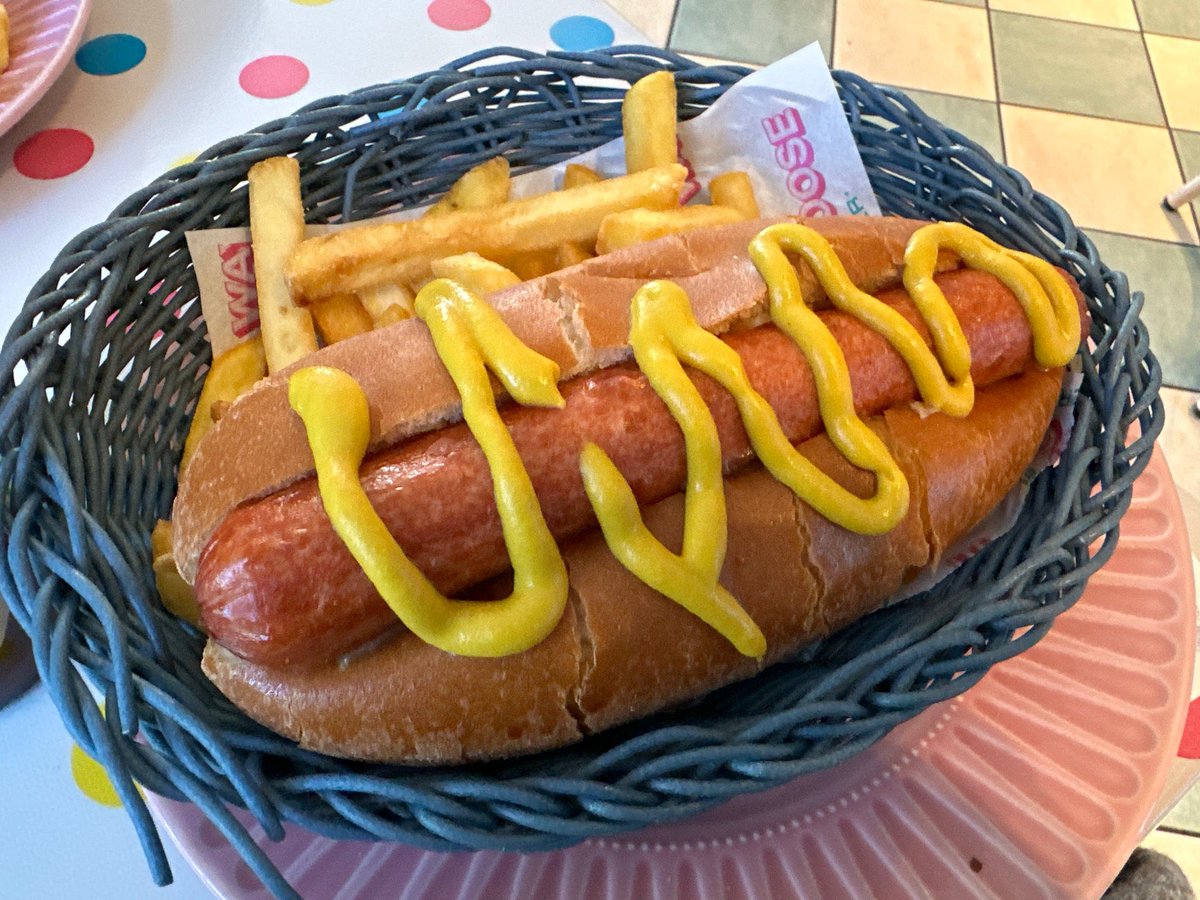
(357,259)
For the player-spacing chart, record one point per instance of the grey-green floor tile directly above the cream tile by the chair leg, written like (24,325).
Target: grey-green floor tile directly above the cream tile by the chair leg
(1075,69)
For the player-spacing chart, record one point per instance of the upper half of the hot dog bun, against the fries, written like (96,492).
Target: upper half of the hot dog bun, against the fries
(578,317)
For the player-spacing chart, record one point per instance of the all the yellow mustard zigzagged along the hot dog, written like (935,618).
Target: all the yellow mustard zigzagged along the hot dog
(471,338)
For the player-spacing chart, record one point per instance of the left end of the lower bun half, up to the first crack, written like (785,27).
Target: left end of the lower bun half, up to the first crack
(412,697)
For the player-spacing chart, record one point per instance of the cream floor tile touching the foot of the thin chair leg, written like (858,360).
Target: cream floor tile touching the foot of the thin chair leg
(1107,175)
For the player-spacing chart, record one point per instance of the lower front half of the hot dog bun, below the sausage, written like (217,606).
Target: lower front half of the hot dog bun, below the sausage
(622,652)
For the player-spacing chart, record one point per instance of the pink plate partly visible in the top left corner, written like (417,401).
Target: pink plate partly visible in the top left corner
(44,34)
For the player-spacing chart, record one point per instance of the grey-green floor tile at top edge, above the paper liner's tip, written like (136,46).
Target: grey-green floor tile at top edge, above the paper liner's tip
(752,33)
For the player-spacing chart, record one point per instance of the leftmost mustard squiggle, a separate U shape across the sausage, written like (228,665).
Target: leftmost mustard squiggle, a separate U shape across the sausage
(469,335)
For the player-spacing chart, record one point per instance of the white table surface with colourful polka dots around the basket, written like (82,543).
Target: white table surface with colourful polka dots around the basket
(149,86)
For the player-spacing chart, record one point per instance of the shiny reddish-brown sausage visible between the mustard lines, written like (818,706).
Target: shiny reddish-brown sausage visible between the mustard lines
(278,587)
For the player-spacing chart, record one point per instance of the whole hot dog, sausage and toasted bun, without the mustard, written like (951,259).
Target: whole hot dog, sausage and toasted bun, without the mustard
(283,599)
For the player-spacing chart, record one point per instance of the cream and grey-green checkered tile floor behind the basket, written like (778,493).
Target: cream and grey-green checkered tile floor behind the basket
(1096,101)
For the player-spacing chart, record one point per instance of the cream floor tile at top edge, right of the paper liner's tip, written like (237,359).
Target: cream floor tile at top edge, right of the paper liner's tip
(917,44)
